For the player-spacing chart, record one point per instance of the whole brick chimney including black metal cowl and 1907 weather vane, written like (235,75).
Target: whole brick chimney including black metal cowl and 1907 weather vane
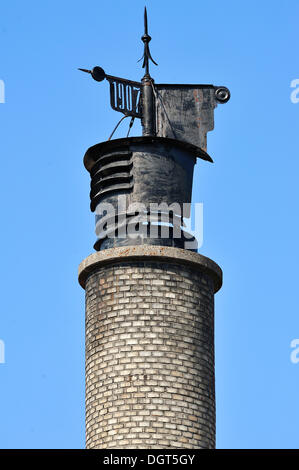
(150,379)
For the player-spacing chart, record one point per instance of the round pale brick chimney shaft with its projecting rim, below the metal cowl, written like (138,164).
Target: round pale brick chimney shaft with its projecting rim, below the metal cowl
(150,348)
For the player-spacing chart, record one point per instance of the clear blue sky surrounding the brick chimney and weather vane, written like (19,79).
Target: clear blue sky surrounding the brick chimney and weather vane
(53,113)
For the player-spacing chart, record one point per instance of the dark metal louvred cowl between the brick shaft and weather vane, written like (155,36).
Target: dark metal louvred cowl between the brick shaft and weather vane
(142,170)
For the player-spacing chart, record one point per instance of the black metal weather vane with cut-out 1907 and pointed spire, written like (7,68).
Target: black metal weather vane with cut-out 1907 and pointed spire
(183,112)
